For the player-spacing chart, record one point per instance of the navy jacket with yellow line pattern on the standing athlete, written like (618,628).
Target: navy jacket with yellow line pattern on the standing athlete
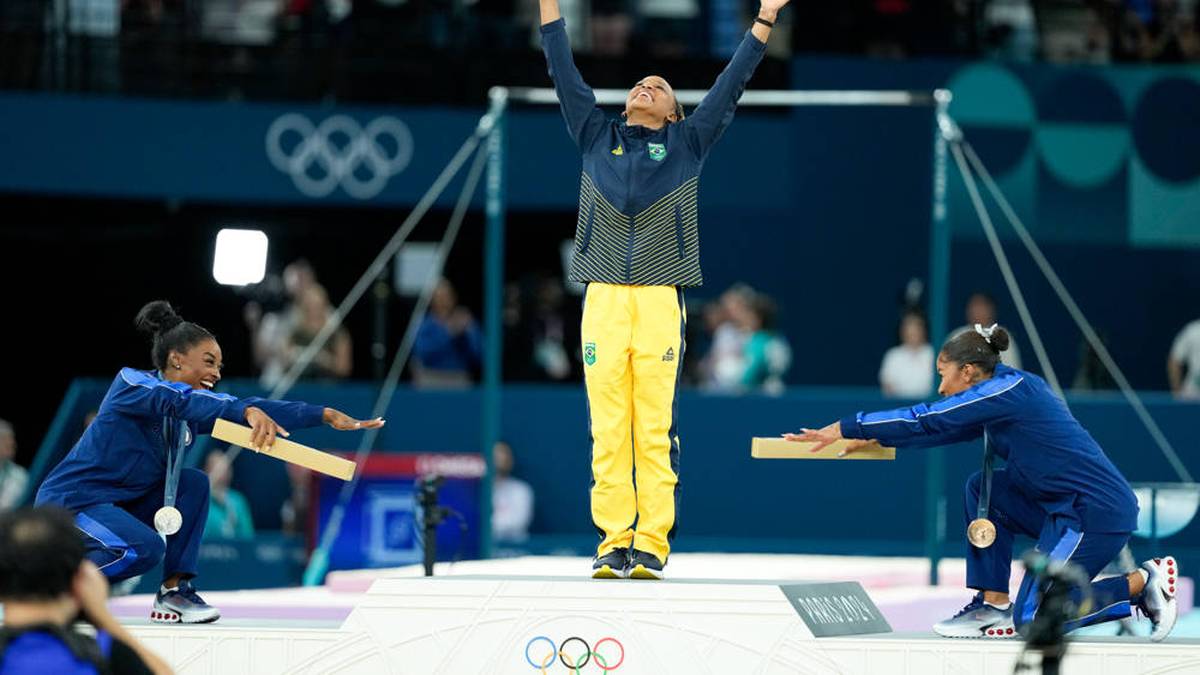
(638,222)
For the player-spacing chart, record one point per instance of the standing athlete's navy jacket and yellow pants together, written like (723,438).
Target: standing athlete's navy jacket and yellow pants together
(638,247)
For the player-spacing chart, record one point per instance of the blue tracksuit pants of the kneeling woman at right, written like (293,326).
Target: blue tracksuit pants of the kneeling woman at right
(1015,513)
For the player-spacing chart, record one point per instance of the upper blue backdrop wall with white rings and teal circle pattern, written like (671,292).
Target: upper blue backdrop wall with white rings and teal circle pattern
(826,210)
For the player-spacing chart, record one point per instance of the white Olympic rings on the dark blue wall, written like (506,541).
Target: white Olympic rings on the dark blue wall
(339,152)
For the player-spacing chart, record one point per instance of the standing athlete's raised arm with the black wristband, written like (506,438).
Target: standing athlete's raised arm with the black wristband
(716,111)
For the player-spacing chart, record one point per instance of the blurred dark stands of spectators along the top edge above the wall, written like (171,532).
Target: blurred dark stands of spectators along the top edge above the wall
(266,37)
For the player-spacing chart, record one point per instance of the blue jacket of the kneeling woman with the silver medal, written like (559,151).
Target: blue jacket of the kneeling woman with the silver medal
(123,453)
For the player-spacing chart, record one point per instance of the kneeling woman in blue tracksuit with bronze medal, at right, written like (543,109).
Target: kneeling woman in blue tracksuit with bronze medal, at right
(1059,488)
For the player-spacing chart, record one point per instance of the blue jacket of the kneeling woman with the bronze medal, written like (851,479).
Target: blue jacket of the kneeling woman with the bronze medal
(1051,457)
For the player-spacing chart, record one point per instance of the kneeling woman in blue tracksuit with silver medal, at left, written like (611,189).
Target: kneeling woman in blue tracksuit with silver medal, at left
(116,479)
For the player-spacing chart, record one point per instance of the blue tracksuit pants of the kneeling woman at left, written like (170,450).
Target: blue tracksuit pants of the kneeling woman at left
(123,542)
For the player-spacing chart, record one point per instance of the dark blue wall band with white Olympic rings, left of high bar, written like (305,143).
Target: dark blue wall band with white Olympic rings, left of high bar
(220,152)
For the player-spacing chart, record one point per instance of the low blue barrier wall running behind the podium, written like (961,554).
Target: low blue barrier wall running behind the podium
(728,501)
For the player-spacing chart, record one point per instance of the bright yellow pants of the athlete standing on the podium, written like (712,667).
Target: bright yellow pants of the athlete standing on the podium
(633,347)
